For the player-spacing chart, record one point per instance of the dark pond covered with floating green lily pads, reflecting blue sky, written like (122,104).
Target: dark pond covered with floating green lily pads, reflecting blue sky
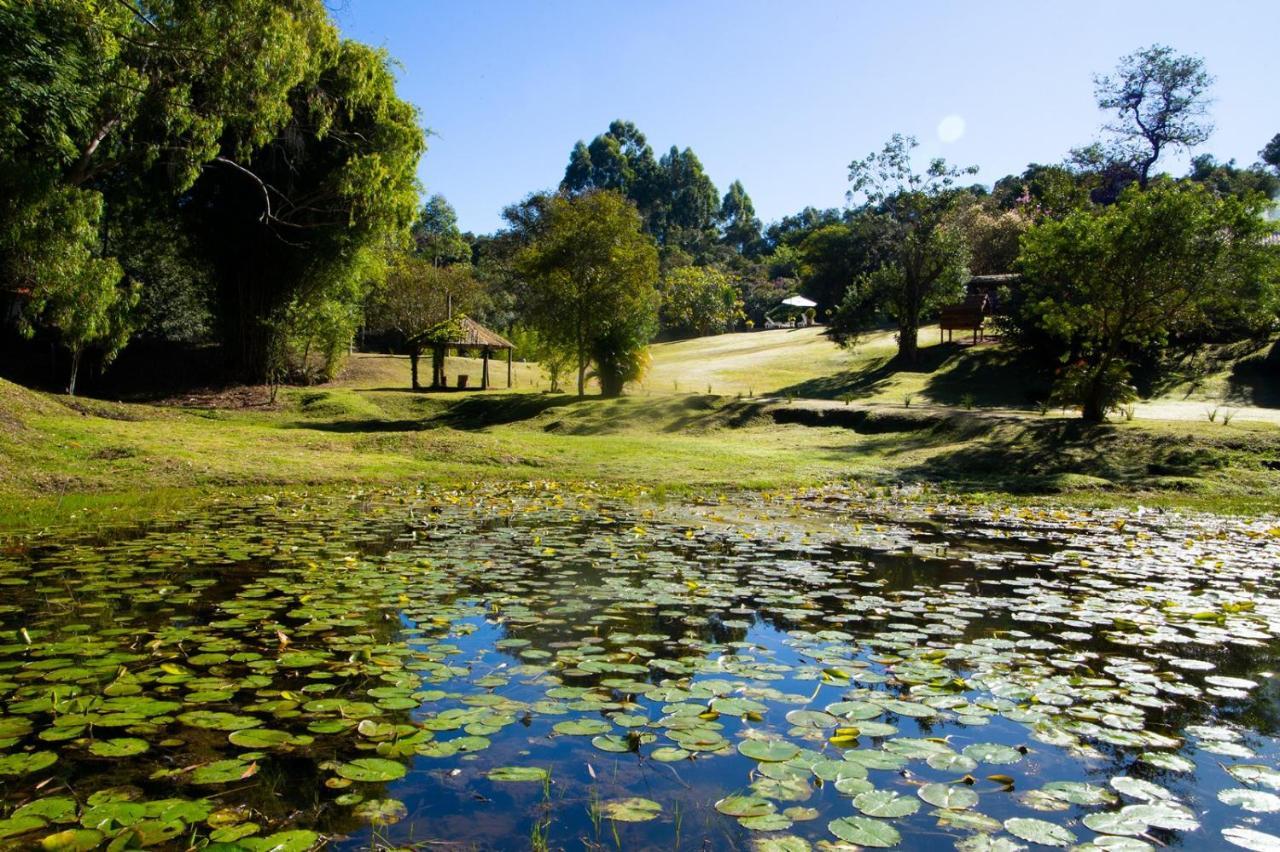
(546,668)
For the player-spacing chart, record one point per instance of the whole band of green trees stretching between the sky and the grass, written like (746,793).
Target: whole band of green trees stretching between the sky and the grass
(239,177)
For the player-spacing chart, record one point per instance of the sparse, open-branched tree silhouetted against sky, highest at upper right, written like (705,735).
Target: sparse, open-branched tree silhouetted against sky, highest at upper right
(1160,99)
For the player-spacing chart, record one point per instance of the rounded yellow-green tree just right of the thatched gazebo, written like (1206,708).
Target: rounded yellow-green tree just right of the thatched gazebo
(592,271)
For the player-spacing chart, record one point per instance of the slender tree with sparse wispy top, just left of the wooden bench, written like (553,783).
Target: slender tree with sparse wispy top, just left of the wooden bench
(925,256)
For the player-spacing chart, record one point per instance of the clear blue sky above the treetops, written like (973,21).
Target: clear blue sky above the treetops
(784,94)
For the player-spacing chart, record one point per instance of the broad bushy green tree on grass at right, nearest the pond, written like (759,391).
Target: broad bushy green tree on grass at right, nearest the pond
(1110,283)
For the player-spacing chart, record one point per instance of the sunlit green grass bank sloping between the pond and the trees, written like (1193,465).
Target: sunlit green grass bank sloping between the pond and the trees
(65,460)
